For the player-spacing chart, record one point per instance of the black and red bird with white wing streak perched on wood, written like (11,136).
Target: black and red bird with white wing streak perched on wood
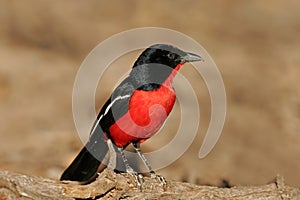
(135,111)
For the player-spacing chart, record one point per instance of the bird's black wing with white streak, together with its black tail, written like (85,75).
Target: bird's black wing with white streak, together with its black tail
(85,165)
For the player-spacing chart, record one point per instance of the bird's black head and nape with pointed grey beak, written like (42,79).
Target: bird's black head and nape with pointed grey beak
(156,64)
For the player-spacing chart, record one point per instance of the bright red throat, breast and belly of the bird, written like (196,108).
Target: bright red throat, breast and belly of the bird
(147,112)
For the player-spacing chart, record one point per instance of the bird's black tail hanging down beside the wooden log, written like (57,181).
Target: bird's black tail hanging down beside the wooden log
(85,165)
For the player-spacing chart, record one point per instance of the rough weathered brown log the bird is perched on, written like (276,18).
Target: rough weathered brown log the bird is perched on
(121,186)
